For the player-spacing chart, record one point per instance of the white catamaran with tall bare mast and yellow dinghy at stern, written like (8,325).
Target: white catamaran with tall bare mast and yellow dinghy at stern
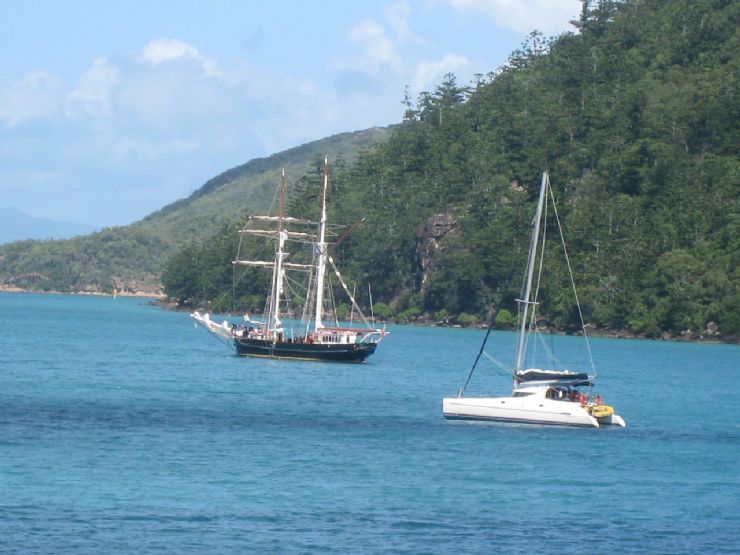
(559,397)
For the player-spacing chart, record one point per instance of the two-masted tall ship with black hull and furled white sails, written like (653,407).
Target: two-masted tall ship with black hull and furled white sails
(279,334)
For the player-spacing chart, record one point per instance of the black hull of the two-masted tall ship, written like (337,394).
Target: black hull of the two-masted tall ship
(332,352)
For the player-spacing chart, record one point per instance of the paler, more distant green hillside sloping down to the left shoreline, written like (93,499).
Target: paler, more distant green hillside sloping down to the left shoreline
(131,258)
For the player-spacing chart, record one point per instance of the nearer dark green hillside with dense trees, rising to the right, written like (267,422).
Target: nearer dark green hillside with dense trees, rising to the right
(635,117)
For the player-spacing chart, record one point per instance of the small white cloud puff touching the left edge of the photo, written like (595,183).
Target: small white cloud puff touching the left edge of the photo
(35,96)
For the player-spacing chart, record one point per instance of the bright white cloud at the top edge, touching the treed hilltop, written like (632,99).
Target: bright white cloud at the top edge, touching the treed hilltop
(548,16)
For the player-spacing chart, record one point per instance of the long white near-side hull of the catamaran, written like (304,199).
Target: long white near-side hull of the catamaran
(521,410)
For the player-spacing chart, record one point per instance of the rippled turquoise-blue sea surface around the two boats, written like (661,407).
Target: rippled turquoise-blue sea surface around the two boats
(124,429)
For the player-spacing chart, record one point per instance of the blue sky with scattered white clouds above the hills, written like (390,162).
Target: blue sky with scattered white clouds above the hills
(110,110)
